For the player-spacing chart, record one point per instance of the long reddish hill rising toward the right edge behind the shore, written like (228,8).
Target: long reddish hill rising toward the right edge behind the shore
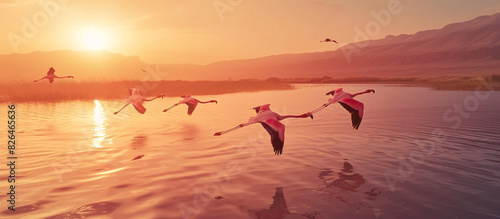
(466,48)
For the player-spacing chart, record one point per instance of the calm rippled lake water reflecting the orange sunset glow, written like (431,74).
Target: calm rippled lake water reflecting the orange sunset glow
(77,159)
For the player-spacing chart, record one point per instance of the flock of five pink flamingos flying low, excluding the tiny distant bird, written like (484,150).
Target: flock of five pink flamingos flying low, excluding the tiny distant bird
(265,116)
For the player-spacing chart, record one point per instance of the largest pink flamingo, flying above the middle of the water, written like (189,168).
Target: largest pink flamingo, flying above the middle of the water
(270,121)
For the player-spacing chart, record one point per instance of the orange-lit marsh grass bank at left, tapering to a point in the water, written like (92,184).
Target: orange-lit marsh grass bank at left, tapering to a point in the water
(67,90)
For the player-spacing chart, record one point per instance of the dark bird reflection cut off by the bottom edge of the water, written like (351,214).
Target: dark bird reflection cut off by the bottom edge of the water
(278,209)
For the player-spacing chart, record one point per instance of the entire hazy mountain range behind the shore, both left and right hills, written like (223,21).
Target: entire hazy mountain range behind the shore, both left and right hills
(465,48)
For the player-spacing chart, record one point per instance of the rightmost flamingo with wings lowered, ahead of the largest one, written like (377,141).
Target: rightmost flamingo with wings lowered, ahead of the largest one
(346,100)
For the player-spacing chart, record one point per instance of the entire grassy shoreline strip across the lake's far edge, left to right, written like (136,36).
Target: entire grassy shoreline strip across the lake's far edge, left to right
(69,90)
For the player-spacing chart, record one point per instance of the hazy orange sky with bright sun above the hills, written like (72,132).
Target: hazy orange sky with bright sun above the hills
(205,31)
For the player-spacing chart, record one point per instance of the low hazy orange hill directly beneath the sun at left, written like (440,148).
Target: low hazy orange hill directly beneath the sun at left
(83,65)
